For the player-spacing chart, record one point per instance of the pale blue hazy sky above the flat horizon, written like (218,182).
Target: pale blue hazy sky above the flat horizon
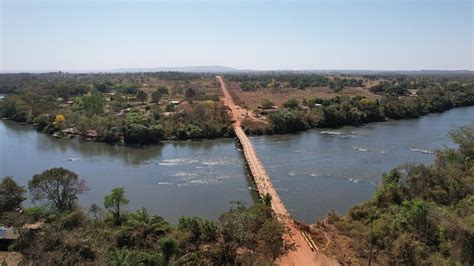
(73,35)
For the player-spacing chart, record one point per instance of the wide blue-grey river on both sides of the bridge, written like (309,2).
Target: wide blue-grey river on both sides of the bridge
(314,171)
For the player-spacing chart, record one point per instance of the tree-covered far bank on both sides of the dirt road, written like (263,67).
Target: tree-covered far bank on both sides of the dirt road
(114,108)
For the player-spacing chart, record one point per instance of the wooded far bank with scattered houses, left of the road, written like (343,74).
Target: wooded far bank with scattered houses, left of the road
(117,110)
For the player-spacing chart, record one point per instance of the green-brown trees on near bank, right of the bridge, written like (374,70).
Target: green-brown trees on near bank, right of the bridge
(419,215)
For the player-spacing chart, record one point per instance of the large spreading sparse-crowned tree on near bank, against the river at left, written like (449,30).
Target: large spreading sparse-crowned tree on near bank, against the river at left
(59,186)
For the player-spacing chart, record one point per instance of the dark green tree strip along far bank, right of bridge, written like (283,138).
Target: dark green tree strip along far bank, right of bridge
(344,110)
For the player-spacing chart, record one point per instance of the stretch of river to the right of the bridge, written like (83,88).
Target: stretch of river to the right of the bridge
(319,170)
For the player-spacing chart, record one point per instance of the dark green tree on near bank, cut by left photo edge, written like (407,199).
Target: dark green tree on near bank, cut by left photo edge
(11,194)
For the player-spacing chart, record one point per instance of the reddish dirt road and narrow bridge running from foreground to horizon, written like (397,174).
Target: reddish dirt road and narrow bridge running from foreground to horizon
(302,253)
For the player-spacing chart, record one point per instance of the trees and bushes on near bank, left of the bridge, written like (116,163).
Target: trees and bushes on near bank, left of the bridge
(109,235)
